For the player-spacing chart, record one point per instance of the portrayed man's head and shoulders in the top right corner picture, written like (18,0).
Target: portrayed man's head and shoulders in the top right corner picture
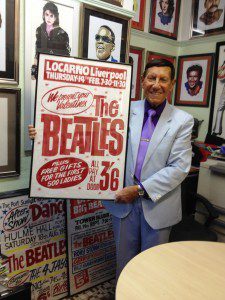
(212,13)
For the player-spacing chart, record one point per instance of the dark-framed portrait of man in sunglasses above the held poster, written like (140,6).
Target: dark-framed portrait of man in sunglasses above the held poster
(115,28)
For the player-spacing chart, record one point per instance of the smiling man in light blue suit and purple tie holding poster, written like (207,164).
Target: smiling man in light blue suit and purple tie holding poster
(158,160)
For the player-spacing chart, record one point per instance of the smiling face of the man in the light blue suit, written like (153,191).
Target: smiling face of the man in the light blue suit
(157,84)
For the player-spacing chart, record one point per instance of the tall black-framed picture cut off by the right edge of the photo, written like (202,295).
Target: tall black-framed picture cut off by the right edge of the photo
(216,118)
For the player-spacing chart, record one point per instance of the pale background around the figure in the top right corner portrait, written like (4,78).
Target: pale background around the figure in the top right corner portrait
(202,10)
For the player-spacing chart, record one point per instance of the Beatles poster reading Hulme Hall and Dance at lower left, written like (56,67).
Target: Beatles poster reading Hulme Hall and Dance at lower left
(33,239)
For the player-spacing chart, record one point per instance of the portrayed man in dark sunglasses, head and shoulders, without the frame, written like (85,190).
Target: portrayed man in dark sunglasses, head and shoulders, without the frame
(105,43)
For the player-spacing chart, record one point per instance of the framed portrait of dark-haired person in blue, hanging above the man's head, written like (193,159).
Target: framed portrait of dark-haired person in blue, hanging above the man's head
(165,18)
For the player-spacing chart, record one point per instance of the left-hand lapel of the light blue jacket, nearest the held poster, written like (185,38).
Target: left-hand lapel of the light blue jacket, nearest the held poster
(137,114)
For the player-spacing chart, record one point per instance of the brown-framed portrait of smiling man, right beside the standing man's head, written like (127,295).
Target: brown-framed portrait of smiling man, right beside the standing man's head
(193,83)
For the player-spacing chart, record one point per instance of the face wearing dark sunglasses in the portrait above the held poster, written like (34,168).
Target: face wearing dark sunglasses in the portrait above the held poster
(104,45)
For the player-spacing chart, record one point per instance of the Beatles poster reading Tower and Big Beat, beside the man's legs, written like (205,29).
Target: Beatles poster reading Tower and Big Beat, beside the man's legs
(91,246)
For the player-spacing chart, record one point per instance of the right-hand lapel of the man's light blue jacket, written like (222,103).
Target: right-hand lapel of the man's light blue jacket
(161,128)
